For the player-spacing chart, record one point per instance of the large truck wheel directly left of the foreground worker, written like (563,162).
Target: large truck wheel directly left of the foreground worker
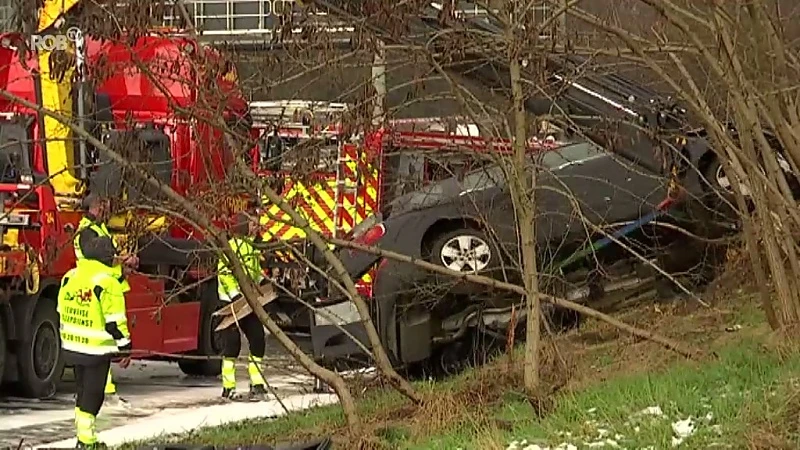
(41,361)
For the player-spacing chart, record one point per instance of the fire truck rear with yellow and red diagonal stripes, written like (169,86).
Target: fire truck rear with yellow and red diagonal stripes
(305,152)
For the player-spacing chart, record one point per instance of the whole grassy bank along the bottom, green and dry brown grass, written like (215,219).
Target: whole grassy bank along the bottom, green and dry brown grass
(747,394)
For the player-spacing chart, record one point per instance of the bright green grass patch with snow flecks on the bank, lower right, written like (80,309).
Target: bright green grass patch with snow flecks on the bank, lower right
(726,398)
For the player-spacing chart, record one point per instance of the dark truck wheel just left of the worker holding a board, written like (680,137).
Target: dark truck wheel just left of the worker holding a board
(208,343)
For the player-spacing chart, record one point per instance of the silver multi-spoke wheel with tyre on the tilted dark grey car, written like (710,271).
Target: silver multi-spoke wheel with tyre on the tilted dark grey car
(464,250)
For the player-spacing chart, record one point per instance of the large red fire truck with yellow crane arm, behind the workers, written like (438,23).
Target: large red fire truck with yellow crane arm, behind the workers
(48,170)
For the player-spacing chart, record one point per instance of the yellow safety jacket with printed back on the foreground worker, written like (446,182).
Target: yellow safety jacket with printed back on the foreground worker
(92,324)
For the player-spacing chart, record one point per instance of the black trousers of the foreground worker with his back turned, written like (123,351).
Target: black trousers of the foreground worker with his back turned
(90,380)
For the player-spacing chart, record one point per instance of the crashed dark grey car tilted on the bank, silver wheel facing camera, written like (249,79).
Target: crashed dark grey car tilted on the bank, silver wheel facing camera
(466,223)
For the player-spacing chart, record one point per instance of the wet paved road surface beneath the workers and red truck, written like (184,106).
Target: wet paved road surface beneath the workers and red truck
(148,386)
